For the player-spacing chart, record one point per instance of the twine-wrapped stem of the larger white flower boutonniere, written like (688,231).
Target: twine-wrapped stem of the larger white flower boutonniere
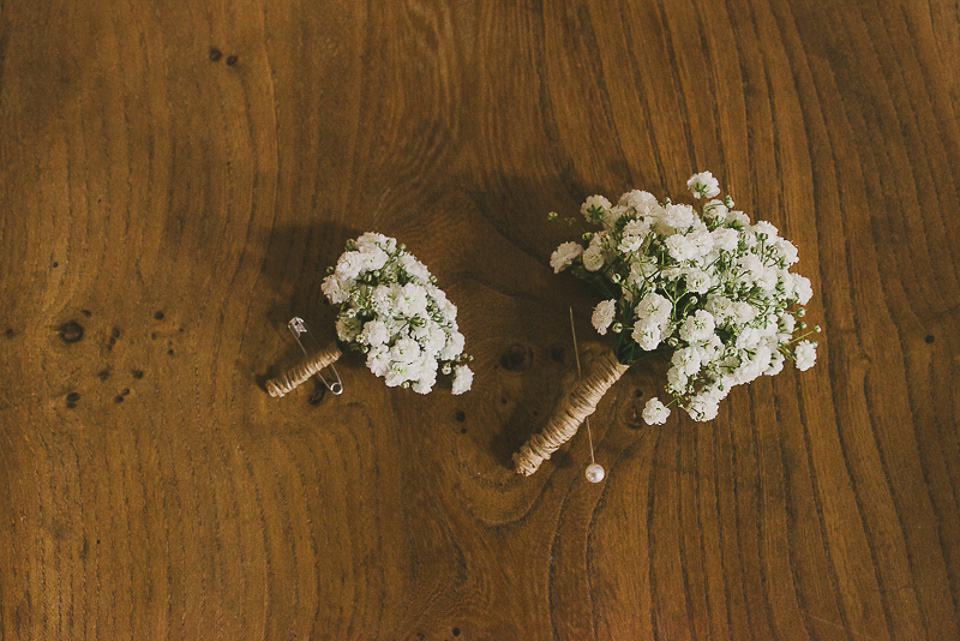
(580,403)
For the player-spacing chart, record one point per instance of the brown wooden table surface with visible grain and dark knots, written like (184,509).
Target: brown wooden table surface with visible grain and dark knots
(175,176)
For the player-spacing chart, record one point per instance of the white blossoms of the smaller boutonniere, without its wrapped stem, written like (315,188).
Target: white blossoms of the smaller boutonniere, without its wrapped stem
(392,310)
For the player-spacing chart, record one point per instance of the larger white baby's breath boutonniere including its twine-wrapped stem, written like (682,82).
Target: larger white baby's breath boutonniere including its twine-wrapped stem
(707,288)
